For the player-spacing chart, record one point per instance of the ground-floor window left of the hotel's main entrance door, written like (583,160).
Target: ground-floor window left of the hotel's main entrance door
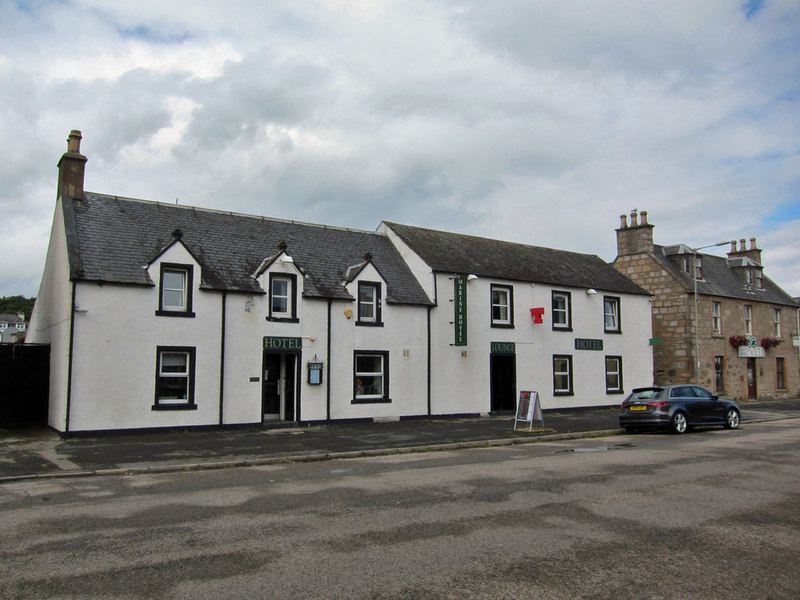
(175,369)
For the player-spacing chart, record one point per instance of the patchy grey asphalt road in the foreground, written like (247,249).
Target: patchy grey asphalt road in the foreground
(710,514)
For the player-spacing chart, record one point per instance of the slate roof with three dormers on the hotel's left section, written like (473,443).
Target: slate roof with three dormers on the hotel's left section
(109,240)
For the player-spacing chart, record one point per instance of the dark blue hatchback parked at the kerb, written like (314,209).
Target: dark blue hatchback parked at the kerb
(677,407)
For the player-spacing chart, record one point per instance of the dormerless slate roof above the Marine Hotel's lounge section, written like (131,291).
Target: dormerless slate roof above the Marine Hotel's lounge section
(484,257)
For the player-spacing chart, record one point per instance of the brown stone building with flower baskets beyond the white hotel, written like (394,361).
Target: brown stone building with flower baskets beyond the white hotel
(719,322)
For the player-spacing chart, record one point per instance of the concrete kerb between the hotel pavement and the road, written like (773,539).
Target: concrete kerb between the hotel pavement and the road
(303,458)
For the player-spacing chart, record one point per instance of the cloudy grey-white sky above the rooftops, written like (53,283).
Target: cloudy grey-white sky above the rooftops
(538,121)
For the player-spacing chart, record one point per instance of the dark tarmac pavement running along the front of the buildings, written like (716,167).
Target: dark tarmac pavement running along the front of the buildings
(42,453)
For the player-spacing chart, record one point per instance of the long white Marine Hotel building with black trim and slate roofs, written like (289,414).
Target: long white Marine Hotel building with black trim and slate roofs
(163,315)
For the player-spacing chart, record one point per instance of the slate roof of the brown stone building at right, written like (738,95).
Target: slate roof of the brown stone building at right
(720,279)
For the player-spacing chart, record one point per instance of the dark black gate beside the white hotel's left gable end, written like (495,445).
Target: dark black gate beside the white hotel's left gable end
(24,384)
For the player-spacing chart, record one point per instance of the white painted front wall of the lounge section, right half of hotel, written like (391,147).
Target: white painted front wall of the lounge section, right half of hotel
(460,375)
